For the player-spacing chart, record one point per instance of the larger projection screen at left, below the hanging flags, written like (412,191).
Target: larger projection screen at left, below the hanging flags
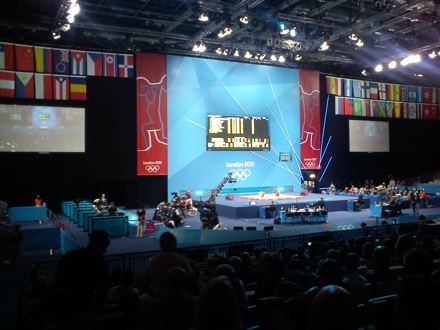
(42,129)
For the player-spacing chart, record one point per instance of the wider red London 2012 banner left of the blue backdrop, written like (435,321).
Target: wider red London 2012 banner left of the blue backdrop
(152,137)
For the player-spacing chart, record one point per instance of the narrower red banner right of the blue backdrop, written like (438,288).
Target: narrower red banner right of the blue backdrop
(310,119)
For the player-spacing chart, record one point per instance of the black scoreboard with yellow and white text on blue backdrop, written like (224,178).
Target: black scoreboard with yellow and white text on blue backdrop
(240,133)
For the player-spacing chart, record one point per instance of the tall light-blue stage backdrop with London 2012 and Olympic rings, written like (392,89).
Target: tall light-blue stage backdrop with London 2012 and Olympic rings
(197,88)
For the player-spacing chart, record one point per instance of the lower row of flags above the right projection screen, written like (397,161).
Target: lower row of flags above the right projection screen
(349,106)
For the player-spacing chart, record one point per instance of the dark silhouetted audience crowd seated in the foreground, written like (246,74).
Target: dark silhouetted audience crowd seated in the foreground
(369,282)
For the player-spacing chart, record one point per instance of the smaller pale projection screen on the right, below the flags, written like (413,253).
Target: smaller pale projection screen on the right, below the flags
(369,136)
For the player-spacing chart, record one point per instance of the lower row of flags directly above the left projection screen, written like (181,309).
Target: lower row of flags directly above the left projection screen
(31,85)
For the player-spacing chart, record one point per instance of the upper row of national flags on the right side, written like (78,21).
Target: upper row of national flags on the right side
(381,91)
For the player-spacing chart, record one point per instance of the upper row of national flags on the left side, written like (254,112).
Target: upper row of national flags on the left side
(15,57)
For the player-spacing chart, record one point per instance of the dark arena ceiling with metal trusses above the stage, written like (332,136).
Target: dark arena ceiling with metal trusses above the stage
(392,31)
